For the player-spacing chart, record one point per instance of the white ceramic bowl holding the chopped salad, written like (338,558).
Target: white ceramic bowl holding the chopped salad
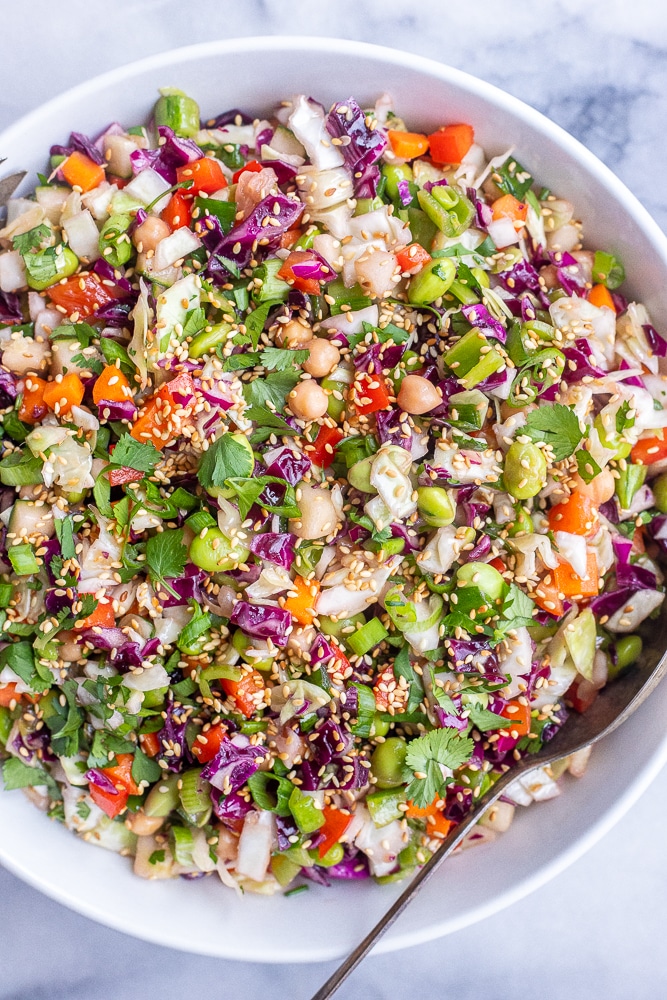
(203,916)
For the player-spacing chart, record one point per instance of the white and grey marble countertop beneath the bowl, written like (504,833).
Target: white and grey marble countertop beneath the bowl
(600,70)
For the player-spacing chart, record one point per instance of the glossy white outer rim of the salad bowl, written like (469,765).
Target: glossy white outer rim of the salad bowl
(396,938)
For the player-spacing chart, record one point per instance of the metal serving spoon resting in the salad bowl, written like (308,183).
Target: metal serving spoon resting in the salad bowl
(613,706)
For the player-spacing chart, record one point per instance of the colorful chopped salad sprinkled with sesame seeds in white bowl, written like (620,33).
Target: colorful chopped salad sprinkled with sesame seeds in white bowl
(332,480)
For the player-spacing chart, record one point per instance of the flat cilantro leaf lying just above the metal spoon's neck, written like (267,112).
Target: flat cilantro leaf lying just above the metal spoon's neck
(426,755)
